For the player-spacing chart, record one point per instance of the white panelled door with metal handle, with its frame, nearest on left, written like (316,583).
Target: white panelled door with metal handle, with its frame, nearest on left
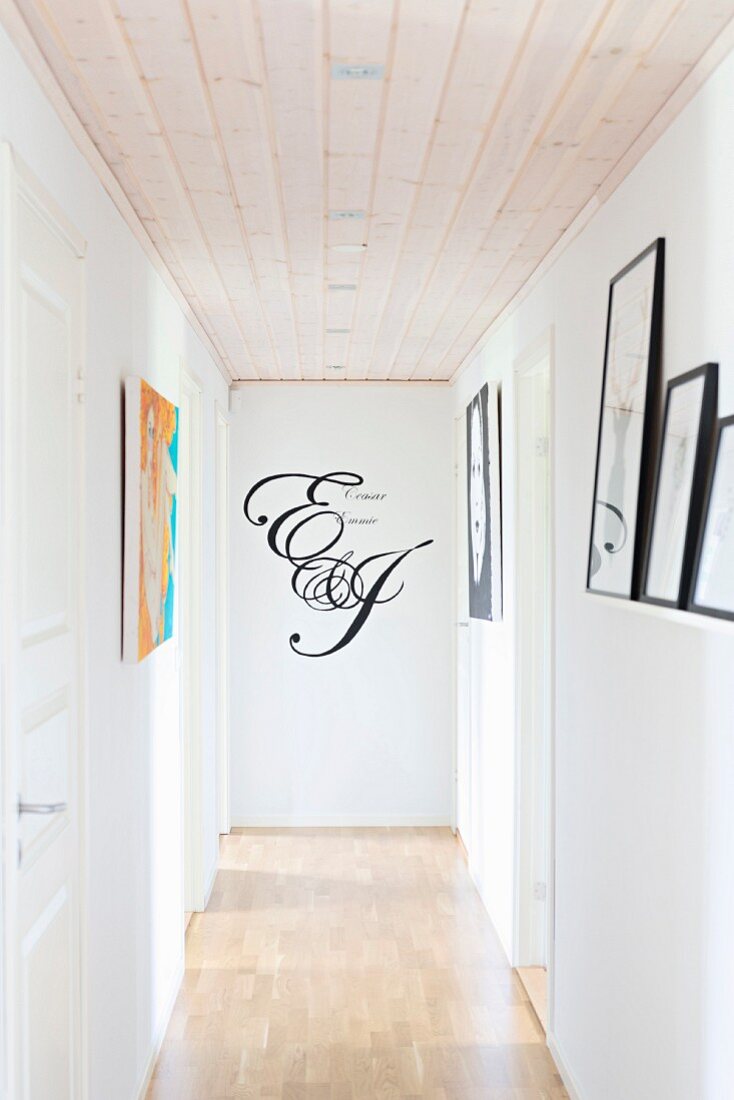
(42,657)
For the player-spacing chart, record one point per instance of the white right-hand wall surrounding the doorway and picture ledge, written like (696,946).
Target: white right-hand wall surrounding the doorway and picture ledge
(644,699)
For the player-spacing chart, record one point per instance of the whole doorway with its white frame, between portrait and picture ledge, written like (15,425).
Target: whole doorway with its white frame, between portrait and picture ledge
(534,862)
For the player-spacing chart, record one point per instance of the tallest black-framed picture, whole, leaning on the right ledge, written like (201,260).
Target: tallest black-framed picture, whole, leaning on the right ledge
(627,426)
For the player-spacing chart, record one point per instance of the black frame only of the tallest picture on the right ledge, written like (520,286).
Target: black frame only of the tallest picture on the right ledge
(651,416)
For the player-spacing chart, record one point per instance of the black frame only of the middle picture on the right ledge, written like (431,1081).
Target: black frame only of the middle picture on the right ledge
(702,464)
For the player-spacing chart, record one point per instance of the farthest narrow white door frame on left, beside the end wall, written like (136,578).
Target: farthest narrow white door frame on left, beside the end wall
(222,491)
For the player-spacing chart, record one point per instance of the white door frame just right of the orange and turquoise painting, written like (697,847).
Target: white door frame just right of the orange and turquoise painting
(190,641)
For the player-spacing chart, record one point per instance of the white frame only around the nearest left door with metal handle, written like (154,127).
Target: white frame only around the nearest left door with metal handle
(17,180)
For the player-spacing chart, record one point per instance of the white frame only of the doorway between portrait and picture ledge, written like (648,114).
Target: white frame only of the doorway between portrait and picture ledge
(540,353)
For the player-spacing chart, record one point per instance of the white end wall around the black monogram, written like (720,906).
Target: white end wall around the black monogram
(364,735)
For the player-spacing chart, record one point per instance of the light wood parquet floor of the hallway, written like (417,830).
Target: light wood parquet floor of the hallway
(344,964)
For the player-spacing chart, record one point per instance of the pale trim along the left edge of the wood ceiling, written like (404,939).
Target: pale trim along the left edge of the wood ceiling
(20,36)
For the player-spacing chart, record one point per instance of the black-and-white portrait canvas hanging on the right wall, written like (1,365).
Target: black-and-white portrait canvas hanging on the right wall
(484,508)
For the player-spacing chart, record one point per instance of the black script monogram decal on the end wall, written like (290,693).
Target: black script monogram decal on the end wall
(325,578)
